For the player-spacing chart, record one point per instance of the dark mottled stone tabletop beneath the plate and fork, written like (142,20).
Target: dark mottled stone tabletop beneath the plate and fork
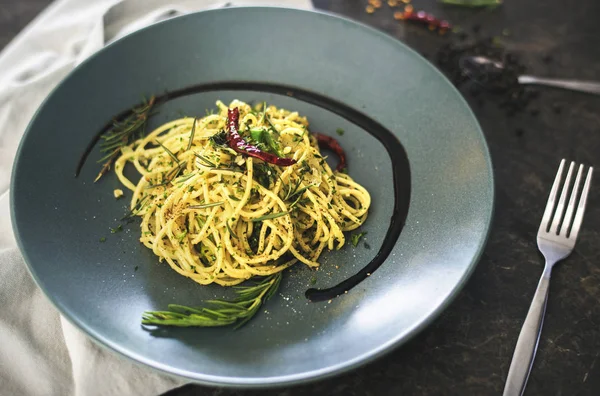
(467,350)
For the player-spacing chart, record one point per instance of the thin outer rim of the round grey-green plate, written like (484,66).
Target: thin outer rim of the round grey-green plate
(281,380)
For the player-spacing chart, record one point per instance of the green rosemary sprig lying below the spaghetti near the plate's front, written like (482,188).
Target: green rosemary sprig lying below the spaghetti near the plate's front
(221,313)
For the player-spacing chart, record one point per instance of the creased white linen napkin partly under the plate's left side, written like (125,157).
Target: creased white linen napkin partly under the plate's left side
(40,352)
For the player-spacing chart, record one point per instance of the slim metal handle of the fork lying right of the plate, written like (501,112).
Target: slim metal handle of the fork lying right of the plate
(524,354)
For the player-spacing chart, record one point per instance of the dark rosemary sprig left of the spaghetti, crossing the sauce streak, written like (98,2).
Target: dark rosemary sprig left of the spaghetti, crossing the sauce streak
(123,133)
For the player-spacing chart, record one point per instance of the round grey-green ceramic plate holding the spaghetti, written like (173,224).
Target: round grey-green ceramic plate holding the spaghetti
(402,119)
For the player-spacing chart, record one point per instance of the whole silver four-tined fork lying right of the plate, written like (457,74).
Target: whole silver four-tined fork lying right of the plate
(556,239)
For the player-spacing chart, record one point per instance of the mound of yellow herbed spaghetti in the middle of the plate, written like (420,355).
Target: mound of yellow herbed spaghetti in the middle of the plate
(217,215)
